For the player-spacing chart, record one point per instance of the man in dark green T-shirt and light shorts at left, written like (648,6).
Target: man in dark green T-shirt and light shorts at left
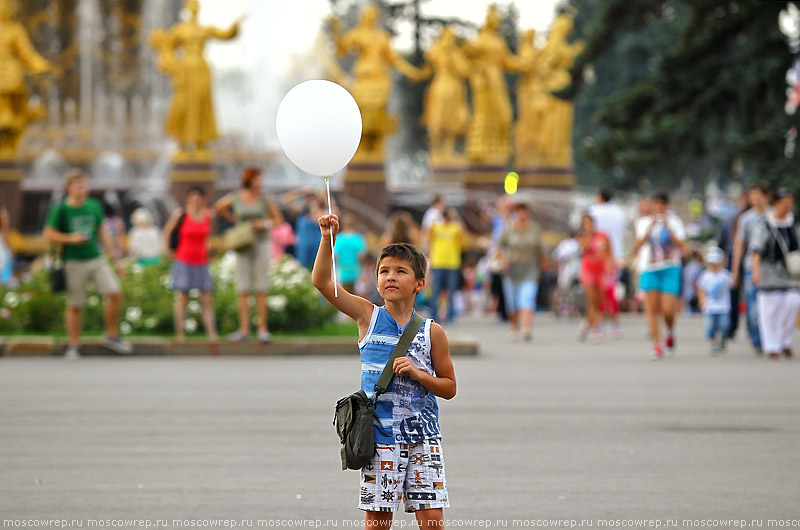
(76,223)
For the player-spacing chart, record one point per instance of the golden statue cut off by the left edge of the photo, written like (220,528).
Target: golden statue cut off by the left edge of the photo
(17,56)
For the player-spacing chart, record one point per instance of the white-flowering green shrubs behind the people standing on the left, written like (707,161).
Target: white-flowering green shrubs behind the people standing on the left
(294,304)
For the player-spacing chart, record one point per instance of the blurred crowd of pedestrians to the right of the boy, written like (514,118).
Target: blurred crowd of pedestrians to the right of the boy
(611,261)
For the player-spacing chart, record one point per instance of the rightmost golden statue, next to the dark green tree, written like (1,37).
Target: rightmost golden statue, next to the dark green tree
(555,132)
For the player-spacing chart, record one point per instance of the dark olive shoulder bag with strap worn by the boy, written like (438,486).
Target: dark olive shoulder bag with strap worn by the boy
(354,414)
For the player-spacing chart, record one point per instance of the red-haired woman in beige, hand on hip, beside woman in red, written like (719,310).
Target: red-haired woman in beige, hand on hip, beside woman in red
(252,266)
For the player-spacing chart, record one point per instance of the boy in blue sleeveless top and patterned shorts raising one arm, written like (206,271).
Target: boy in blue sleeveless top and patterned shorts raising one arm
(409,462)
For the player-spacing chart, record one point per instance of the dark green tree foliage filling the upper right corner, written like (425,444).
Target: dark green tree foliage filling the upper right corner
(672,89)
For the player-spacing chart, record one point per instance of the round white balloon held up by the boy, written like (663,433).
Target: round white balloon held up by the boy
(319,126)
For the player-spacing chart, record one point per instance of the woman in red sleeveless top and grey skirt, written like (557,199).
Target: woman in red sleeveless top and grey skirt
(190,269)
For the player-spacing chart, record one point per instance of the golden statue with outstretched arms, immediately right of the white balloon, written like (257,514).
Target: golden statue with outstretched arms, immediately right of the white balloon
(372,85)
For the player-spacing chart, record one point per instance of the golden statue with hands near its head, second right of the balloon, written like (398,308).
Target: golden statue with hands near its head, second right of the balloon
(445,112)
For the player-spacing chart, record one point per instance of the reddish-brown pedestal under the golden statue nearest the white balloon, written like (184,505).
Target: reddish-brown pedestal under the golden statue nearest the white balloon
(365,195)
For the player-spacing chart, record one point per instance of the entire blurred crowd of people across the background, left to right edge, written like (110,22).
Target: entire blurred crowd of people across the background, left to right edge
(610,262)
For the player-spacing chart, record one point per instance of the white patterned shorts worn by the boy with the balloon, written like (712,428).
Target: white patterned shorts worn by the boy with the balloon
(410,472)
